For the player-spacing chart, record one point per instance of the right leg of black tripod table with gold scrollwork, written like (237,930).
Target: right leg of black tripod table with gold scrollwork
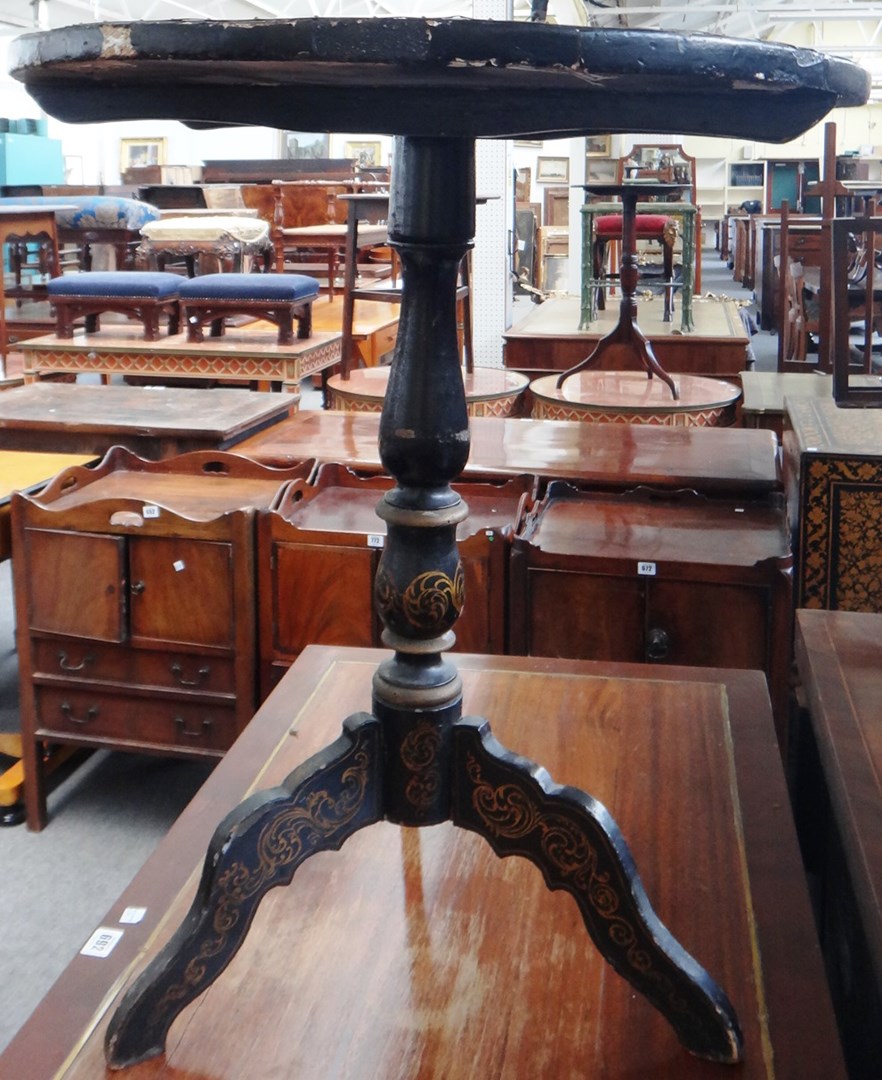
(573,840)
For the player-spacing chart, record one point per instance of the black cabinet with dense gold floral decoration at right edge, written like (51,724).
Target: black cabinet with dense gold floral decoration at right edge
(833,461)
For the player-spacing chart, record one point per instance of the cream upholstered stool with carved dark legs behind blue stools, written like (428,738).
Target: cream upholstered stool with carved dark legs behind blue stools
(232,242)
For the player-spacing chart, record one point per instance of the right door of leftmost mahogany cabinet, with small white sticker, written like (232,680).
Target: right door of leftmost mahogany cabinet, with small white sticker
(182,591)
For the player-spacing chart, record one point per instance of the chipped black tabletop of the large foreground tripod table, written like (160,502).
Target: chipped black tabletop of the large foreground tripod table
(433,77)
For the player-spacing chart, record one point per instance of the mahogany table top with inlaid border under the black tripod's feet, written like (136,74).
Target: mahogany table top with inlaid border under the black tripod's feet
(418,953)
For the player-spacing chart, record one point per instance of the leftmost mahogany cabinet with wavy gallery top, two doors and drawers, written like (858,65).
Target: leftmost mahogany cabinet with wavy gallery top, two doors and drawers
(137,619)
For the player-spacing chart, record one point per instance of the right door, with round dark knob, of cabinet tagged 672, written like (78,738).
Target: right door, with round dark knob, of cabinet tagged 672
(707,625)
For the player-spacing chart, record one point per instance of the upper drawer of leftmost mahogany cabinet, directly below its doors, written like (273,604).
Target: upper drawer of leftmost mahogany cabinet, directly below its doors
(107,664)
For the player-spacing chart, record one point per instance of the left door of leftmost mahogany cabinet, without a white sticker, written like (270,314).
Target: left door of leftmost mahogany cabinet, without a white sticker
(76,584)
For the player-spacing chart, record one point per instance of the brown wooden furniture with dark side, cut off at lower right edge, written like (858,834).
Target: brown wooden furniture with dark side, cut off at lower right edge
(838,798)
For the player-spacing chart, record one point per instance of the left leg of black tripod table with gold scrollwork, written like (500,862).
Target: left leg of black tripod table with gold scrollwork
(257,847)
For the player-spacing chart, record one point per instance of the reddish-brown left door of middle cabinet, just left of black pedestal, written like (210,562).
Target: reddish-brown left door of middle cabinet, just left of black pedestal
(323,596)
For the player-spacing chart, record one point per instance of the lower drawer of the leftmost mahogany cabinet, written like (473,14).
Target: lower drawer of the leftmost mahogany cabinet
(130,722)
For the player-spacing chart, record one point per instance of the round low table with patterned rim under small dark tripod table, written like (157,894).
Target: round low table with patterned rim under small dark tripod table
(632,398)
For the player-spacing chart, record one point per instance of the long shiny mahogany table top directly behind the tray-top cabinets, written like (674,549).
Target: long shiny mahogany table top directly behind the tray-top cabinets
(722,460)
